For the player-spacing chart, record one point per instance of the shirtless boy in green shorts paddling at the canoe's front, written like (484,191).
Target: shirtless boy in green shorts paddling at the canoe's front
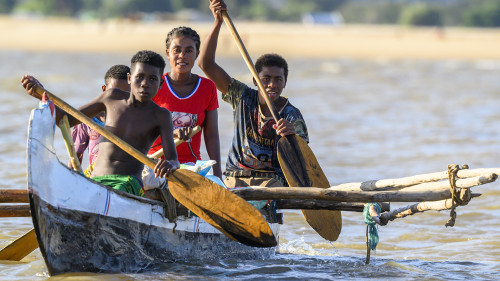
(134,118)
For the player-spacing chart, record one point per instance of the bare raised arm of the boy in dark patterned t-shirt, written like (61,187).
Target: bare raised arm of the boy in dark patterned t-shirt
(208,48)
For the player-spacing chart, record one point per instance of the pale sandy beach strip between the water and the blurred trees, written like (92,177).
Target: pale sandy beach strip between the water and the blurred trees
(290,40)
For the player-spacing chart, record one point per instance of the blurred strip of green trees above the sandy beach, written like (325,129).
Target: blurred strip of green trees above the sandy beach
(474,13)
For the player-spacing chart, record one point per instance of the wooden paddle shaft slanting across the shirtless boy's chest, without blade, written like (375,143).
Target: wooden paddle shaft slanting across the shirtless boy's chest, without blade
(101,130)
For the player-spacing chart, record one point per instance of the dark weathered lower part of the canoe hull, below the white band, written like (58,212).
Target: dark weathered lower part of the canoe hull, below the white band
(74,241)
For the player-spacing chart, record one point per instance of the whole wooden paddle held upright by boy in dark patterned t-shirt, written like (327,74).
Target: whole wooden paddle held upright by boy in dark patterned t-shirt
(299,165)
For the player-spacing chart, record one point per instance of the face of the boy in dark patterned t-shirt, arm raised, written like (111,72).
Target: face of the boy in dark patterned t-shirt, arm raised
(273,80)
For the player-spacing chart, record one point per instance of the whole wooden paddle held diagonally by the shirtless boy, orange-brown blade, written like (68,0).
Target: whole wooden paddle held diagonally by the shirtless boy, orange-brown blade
(224,210)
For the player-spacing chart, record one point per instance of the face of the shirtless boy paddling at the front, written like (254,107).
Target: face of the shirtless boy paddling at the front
(144,81)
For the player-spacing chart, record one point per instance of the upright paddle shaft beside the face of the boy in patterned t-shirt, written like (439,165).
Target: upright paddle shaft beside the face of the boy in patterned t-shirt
(249,63)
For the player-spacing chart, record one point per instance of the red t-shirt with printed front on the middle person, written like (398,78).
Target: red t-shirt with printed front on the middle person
(187,111)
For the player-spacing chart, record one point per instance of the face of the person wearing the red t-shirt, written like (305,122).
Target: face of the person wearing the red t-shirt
(182,54)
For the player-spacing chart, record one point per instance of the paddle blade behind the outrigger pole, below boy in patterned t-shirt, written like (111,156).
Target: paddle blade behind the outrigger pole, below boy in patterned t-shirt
(301,169)
